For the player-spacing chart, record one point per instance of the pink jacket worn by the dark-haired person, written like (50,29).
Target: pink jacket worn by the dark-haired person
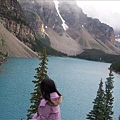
(47,112)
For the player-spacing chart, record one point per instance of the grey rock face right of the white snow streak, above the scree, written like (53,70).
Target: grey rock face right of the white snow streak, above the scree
(76,19)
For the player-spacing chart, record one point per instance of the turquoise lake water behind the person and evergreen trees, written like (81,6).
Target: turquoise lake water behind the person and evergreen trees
(76,79)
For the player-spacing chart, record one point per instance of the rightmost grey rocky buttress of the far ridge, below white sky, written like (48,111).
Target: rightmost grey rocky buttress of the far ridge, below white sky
(100,30)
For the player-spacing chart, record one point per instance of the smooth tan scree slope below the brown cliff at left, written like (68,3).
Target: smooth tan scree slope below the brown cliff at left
(12,46)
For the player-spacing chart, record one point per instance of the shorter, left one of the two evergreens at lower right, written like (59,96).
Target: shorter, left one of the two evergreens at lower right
(98,108)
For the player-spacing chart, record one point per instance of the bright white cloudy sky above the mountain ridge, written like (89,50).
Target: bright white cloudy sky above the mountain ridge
(106,11)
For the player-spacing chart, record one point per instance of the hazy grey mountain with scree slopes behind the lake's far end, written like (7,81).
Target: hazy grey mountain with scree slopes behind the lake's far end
(76,21)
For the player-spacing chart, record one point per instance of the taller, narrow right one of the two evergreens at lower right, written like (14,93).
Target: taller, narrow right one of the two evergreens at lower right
(108,97)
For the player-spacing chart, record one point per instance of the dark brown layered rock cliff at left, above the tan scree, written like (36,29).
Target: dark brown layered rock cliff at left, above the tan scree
(14,20)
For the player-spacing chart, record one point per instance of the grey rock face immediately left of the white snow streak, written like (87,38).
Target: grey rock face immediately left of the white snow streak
(46,11)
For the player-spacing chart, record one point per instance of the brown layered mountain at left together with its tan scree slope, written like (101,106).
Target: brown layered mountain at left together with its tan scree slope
(16,37)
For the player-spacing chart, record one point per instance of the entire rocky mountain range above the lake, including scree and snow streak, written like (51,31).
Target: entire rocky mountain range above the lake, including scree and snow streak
(62,28)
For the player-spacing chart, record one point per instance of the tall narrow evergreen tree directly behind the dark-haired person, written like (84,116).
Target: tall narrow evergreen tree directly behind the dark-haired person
(41,73)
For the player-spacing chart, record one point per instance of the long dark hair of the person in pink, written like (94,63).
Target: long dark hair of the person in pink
(48,86)
